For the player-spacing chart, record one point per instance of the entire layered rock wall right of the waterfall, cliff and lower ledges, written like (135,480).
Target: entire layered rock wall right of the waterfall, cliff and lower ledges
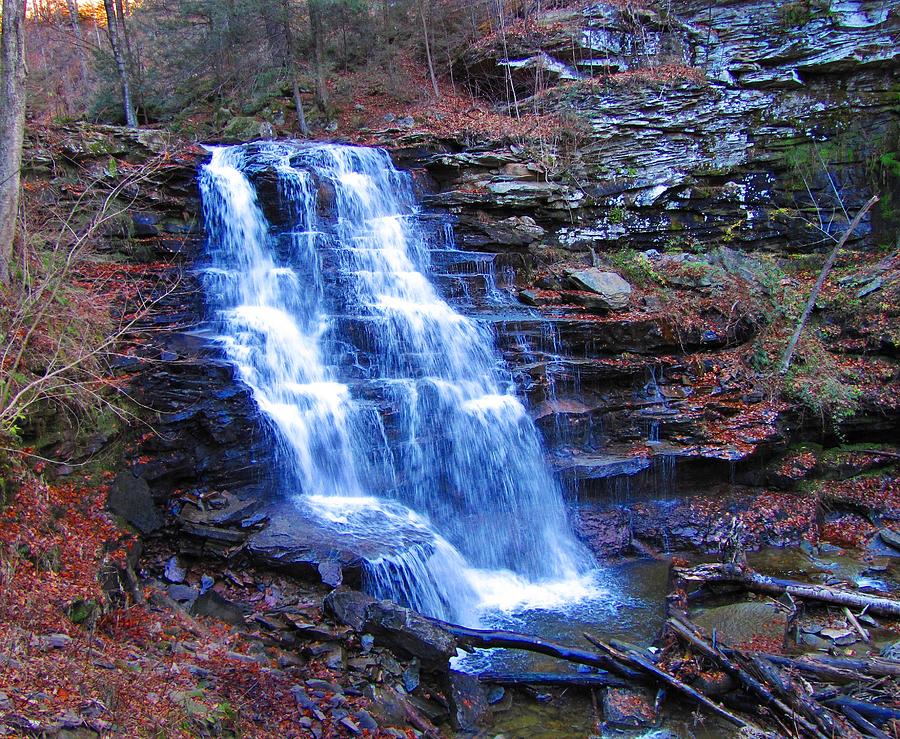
(694,139)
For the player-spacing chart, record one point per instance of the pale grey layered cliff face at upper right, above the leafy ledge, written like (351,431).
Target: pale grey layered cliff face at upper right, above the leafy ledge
(693,125)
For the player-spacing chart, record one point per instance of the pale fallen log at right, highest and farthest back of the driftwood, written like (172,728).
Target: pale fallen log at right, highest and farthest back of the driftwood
(734,574)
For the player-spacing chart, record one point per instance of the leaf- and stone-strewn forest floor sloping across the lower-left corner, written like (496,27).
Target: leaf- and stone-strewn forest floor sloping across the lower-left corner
(84,646)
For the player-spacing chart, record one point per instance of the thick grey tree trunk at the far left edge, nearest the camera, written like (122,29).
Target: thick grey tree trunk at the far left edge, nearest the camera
(12,124)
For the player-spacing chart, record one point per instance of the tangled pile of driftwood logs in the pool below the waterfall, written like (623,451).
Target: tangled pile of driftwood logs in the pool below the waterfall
(791,705)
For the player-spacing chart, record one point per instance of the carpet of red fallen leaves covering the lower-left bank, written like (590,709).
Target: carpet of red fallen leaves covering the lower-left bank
(138,672)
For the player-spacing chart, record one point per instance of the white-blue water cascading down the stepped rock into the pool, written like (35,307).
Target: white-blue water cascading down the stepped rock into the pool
(391,409)
